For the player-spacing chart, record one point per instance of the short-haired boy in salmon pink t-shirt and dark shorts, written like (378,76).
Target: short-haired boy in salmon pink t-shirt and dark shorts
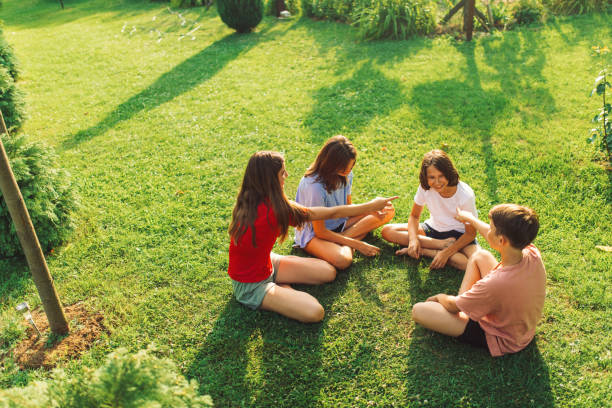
(499,304)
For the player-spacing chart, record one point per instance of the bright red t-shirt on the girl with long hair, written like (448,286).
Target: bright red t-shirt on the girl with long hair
(250,264)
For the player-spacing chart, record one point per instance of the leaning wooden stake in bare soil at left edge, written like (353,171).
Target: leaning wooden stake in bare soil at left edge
(29,242)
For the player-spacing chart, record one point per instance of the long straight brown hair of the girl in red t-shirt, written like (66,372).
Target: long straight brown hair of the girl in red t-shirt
(260,183)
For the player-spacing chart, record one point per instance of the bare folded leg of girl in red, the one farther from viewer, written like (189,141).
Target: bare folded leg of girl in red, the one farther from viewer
(296,269)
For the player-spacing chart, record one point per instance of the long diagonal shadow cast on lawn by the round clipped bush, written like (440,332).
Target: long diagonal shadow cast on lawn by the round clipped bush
(182,78)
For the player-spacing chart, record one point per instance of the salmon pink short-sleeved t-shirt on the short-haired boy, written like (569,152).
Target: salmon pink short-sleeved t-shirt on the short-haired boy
(508,303)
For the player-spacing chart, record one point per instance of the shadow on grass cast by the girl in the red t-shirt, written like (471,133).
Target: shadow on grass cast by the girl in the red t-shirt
(263,359)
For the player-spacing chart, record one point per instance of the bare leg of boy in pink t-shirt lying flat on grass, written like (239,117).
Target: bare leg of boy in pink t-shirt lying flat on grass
(434,316)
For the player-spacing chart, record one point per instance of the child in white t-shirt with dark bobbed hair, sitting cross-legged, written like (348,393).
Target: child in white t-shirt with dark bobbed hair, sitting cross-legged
(441,237)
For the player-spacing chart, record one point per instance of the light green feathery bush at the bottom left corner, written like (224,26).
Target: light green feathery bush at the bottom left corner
(125,380)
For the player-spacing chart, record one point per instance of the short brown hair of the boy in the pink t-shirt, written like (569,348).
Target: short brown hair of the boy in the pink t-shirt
(517,223)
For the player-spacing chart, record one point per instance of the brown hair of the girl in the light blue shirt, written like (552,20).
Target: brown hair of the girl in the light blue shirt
(333,157)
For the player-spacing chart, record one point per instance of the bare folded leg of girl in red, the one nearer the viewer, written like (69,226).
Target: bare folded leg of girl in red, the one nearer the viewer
(293,304)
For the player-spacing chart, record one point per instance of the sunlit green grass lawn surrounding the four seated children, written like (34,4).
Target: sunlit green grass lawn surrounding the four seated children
(157,136)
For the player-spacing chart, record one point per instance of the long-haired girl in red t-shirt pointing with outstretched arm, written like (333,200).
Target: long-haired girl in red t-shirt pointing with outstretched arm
(262,214)
